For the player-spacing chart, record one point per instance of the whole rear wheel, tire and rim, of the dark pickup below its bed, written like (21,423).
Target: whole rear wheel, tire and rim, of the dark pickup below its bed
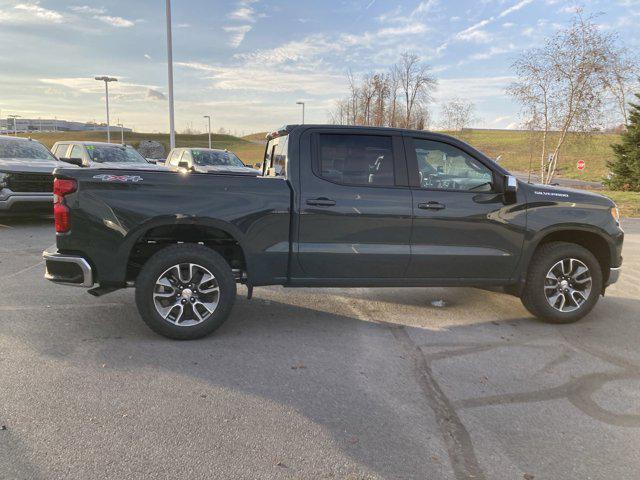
(185,291)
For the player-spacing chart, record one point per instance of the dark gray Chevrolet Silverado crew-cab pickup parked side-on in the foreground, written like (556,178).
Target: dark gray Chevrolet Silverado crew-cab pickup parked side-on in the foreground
(333,207)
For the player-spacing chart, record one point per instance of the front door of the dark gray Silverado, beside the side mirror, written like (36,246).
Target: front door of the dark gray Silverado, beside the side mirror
(462,227)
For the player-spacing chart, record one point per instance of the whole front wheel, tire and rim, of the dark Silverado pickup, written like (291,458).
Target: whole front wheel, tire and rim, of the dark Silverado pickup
(563,283)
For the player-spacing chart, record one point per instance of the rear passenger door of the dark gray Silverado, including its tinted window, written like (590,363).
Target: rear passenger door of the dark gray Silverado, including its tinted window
(355,205)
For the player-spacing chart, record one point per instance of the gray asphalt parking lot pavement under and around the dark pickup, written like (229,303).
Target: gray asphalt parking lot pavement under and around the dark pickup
(303,383)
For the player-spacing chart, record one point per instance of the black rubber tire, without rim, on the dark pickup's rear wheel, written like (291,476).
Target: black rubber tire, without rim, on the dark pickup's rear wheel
(184,254)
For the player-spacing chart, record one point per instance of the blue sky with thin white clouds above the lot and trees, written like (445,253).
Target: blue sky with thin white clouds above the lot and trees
(247,62)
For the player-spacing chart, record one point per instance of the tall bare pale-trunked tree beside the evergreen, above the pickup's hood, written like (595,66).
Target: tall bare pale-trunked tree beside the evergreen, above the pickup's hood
(562,86)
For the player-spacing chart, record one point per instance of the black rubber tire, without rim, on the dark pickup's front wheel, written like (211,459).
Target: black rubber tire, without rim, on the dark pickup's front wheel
(545,257)
